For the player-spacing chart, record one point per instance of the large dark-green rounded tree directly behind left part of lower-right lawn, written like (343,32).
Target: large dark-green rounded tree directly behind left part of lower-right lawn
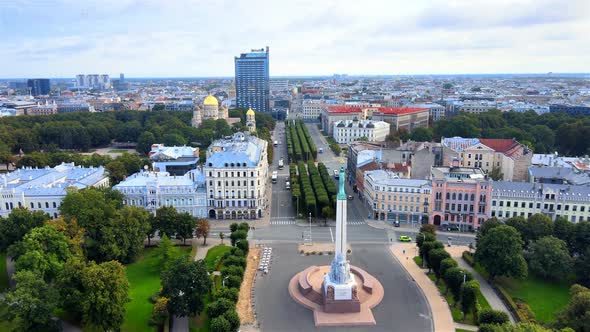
(500,253)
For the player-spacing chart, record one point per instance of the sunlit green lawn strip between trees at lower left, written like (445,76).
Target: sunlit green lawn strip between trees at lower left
(144,281)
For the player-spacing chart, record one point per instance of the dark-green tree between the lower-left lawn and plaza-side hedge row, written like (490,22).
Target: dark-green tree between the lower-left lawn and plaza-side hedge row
(185,283)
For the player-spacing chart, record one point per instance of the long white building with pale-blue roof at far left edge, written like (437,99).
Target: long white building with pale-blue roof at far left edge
(44,189)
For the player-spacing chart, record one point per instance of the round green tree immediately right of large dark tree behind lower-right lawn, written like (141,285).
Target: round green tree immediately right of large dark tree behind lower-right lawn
(549,258)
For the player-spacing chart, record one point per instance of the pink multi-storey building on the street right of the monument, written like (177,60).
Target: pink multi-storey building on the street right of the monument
(461,197)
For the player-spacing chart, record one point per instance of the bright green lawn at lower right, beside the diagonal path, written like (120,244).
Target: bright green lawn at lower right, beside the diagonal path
(545,298)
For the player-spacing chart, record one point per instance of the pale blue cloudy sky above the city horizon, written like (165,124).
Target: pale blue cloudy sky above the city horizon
(175,38)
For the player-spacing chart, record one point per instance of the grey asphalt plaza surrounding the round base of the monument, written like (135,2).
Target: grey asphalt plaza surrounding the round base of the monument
(403,308)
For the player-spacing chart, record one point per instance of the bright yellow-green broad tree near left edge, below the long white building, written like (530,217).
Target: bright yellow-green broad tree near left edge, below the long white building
(43,250)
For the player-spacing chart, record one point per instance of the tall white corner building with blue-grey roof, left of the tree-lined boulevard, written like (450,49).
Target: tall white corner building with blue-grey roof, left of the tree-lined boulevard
(236,173)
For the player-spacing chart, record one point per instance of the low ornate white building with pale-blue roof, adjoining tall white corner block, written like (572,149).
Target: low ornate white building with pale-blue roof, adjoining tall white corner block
(152,190)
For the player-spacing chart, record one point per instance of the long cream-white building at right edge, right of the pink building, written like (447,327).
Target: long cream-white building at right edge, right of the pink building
(522,199)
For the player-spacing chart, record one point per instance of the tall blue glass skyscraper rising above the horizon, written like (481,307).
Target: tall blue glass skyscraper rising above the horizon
(252,80)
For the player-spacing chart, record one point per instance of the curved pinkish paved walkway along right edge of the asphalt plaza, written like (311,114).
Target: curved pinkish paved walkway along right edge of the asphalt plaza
(439,308)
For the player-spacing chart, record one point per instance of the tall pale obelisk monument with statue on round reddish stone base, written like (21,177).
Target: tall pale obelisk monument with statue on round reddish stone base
(338,294)
